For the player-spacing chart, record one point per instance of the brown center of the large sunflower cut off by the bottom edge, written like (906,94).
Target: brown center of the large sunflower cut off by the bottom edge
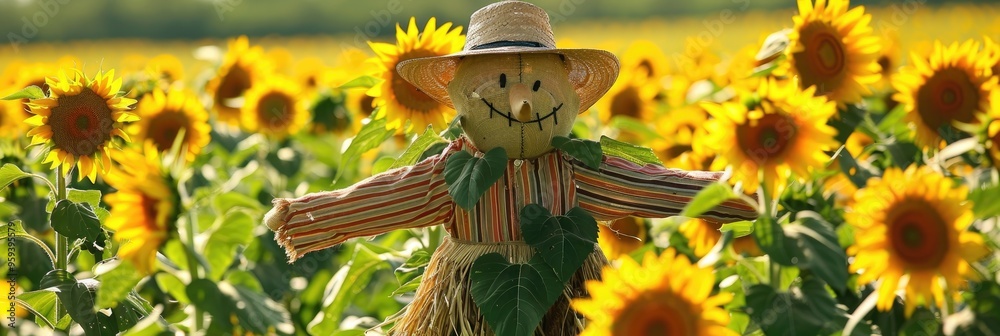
(659,314)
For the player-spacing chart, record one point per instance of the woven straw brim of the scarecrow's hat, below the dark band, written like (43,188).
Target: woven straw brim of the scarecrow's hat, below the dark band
(592,72)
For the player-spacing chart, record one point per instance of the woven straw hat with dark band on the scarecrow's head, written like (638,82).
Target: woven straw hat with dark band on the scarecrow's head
(511,27)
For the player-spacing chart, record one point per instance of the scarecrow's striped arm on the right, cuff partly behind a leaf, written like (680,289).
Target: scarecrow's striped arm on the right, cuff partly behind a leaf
(621,188)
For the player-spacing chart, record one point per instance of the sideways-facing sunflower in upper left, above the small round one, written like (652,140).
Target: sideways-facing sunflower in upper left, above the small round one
(241,69)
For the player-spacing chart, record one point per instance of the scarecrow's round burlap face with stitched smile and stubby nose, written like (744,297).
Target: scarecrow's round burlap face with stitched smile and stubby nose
(517,101)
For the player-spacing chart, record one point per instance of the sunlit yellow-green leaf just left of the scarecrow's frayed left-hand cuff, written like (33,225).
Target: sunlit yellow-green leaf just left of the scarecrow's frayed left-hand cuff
(236,230)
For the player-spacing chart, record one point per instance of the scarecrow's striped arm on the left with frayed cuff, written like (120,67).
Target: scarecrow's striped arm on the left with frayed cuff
(403,198)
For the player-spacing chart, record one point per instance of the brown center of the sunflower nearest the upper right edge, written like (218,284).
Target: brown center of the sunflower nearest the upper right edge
(948,95)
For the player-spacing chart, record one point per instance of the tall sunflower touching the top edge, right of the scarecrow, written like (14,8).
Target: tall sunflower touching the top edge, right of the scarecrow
(833,49)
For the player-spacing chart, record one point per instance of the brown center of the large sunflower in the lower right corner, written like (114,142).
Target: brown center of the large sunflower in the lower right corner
(919,236)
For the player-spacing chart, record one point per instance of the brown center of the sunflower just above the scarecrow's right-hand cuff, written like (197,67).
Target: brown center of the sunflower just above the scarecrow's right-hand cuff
(768,138)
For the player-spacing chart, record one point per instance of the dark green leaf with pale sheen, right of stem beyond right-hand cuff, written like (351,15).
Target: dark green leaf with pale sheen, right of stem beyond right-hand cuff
(816,249)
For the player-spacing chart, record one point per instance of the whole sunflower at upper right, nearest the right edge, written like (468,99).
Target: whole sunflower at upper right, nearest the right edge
(952,85)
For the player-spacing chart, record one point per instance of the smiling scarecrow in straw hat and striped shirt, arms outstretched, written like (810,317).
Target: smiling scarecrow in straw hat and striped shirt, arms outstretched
(513,90)
